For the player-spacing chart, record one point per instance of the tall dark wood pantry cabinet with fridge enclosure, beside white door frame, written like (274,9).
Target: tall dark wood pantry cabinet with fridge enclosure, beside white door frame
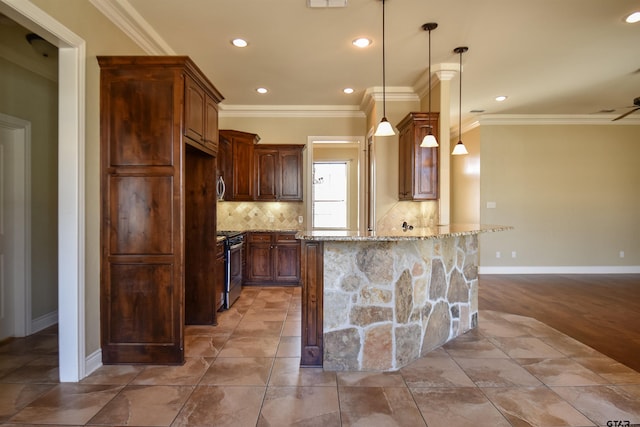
(159,139)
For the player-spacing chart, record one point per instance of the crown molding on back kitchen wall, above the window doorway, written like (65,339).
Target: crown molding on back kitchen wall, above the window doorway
(292,111)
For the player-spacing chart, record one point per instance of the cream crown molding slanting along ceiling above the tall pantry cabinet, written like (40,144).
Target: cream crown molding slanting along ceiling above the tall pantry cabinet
(125,17)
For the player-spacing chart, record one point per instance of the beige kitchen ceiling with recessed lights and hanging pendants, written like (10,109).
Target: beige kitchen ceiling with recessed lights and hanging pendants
(548,56)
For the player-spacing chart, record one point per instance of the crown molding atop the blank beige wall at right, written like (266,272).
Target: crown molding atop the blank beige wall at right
(555,119)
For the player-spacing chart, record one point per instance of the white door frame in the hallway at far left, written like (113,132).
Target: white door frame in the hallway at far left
(21,130)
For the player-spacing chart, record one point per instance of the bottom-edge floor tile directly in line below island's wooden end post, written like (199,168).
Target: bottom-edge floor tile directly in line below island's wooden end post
(300,406)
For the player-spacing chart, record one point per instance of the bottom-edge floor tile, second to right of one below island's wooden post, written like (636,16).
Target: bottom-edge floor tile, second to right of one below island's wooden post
(459,406)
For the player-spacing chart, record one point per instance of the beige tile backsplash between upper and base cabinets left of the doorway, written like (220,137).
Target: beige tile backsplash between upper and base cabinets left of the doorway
(260,215)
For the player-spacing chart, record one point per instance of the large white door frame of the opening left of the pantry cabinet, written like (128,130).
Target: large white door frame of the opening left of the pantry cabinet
(71,181)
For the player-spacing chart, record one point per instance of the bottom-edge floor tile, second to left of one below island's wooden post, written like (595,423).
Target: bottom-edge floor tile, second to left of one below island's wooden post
(144,406)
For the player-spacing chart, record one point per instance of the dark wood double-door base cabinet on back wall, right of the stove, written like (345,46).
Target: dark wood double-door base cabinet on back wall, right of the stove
(272,258)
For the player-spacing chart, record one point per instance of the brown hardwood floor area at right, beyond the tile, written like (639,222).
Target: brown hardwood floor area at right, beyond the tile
(602,311)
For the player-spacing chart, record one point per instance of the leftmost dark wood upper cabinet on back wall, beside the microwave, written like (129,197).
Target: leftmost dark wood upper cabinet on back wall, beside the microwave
(237,164)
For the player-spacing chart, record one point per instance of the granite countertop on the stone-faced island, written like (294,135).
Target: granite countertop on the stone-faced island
(437,232)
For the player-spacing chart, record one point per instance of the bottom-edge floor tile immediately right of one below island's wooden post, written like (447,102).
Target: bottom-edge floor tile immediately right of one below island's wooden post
(378,407)
